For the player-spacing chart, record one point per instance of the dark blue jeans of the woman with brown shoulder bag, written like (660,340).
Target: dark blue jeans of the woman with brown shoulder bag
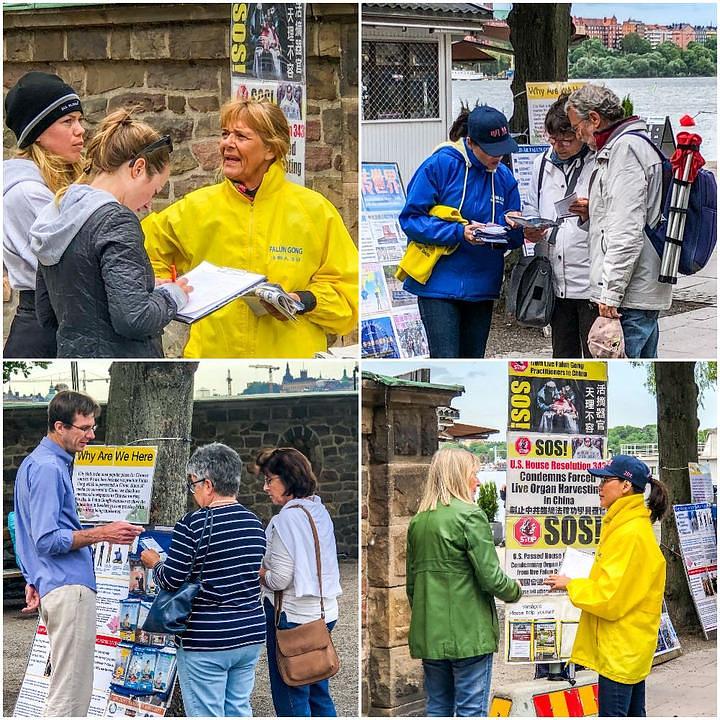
(304,701)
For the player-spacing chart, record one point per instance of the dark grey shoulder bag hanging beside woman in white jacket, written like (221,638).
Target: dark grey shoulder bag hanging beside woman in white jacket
(531,297)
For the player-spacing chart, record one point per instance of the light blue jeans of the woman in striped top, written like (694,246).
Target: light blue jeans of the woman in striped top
(218,683)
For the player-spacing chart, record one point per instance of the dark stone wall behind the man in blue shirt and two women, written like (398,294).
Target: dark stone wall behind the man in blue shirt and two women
(321,425)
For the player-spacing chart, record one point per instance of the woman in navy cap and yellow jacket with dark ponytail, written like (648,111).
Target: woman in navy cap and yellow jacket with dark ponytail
(621,601)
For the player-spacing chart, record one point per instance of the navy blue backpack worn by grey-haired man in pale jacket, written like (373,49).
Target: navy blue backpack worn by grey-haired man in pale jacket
(700,233)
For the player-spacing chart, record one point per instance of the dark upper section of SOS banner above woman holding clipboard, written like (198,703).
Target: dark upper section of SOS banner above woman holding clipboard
(268,40)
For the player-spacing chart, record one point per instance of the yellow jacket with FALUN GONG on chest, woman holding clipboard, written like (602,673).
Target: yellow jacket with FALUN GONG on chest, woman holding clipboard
(290,234)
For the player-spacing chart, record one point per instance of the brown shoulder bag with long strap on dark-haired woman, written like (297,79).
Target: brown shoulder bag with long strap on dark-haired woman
(305,654)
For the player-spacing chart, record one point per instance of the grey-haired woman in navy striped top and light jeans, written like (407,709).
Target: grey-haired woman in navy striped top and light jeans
(220,648)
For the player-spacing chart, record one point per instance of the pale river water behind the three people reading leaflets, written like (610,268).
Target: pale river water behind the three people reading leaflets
(651,97)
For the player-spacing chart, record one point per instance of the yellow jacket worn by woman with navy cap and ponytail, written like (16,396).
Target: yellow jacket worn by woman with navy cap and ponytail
(622,599)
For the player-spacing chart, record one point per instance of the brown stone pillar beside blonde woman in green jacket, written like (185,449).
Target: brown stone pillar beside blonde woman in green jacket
(399,435)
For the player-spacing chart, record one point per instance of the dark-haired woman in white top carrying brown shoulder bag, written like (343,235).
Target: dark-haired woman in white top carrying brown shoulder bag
(290,567)
